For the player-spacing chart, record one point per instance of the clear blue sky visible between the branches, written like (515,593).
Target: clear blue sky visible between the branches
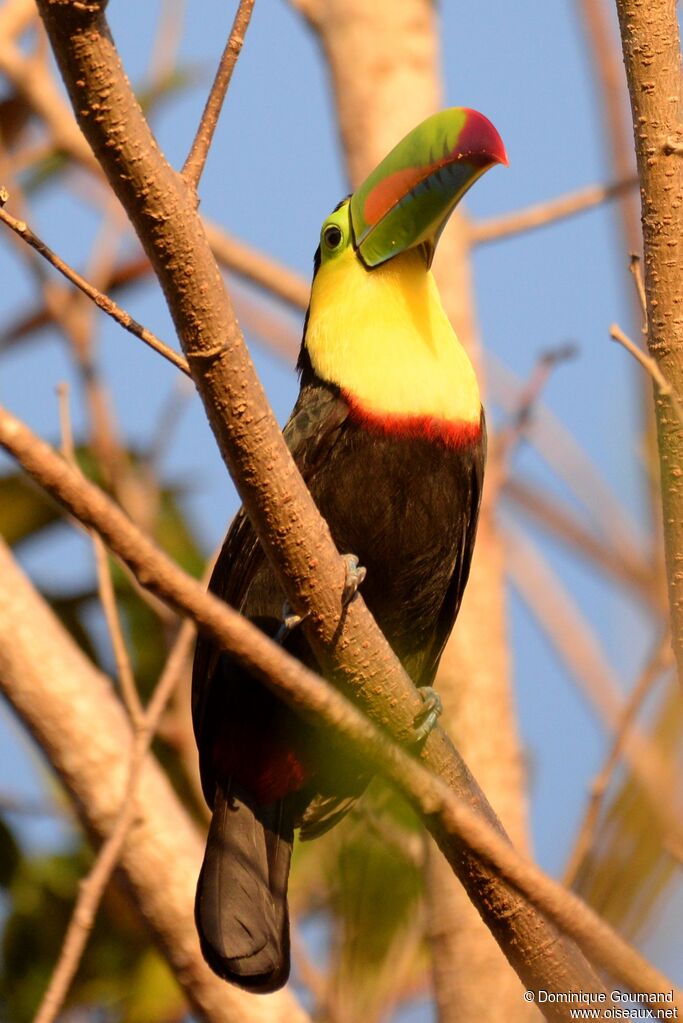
(274,175)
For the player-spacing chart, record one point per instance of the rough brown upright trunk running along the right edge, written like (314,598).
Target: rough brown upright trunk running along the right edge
(653,59)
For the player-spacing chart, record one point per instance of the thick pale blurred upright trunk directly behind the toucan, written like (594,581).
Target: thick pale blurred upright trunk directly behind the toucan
(391,85)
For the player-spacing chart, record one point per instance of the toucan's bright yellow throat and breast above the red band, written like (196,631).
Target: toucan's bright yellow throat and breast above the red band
(384,338)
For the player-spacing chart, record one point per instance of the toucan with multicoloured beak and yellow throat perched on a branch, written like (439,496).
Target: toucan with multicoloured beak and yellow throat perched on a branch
(390,436)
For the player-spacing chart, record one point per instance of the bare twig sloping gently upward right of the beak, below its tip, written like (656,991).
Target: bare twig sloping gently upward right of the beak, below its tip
(542,214)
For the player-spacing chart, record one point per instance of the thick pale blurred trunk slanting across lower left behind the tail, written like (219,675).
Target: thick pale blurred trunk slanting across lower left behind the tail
(74,715)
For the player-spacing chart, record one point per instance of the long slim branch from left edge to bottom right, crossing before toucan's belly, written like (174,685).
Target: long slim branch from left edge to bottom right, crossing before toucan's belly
(456,823)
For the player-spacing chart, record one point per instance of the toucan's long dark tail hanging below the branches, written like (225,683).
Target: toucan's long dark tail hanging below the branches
(242,900)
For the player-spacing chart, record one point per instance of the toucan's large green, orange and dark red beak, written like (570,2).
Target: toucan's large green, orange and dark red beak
(408,199)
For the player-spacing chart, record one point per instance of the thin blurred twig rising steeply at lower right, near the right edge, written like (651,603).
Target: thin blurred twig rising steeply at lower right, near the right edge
(660,659)
